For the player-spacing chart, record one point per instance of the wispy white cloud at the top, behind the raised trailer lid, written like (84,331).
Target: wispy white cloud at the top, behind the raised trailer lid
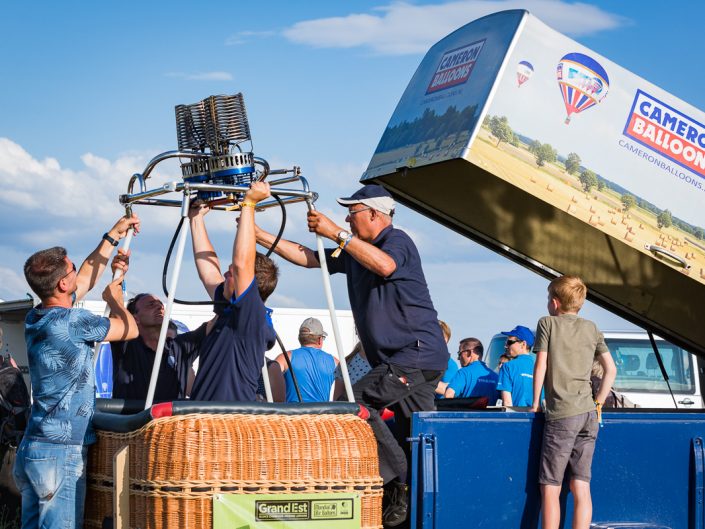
(402,28)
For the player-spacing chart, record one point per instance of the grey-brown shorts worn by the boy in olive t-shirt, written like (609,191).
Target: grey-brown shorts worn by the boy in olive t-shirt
(568,443)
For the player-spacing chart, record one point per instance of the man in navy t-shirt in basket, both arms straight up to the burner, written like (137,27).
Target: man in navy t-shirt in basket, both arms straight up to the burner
(232,354)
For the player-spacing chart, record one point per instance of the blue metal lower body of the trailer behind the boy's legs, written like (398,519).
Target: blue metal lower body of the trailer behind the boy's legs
(480,469)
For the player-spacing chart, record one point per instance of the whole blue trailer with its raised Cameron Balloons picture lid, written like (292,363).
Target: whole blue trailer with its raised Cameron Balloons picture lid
(489,120)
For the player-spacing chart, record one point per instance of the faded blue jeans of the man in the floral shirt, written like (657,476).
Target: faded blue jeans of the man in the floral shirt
(52,480)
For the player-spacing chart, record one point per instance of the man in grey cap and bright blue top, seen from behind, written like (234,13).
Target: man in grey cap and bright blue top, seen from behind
(314,369)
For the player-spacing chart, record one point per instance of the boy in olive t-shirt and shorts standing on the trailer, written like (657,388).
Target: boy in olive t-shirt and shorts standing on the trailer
(565,348)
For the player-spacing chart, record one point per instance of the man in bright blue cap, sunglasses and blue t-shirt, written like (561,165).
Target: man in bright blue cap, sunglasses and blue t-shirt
(516,378)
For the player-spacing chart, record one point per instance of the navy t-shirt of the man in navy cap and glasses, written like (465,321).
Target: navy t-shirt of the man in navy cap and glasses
(394,315)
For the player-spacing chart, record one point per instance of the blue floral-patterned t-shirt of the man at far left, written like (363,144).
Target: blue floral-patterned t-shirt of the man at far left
(60,344)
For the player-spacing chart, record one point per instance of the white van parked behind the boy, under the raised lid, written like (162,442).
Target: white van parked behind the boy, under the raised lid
(638,373)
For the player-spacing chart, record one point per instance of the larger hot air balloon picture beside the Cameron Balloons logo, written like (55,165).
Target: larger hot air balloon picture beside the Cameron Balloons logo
(583,82)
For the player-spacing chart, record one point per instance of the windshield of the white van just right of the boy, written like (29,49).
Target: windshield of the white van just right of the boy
(638,369)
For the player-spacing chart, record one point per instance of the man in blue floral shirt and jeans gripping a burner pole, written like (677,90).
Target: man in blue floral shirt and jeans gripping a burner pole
(50,469)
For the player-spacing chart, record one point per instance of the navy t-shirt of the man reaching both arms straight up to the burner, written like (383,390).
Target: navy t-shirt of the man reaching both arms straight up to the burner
(232,355)
